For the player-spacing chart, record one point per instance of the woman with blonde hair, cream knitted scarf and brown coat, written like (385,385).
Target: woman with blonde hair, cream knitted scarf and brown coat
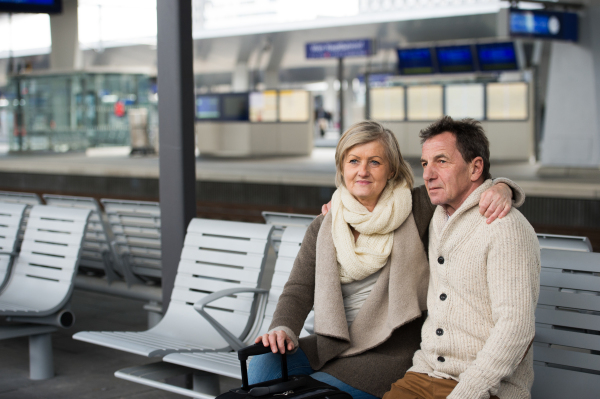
(364,268)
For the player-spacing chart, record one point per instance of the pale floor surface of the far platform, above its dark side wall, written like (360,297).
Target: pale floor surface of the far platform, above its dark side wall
(318,169)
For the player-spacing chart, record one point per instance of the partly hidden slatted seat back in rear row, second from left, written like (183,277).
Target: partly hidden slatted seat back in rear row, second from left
(95,253)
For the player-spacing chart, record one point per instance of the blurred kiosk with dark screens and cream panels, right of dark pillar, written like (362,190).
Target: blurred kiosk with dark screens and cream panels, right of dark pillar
(268,123)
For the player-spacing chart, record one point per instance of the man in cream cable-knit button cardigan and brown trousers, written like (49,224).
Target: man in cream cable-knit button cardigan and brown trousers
(484,280)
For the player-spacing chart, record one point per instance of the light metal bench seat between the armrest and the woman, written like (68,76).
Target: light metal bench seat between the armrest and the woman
(212,366)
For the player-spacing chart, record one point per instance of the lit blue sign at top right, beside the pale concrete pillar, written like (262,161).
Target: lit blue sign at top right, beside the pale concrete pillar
(543,24)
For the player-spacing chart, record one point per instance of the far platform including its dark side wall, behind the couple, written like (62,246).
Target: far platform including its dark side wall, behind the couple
(559,200)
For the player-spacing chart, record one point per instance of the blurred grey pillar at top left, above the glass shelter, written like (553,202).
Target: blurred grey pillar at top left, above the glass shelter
(64,29)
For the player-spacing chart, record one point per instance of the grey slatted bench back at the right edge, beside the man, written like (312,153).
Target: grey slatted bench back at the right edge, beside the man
(567,341)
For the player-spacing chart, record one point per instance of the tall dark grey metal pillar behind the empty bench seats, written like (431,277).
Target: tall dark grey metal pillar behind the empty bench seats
(177,183)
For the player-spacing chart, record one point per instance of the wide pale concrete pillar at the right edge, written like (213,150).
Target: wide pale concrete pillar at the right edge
(572,117)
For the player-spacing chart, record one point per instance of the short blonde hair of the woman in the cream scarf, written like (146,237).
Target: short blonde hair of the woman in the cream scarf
(366,132)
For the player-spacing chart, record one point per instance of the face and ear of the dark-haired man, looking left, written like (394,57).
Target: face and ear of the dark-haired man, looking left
(448,178)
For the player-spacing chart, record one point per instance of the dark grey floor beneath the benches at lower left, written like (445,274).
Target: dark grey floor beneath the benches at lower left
(82,370)
